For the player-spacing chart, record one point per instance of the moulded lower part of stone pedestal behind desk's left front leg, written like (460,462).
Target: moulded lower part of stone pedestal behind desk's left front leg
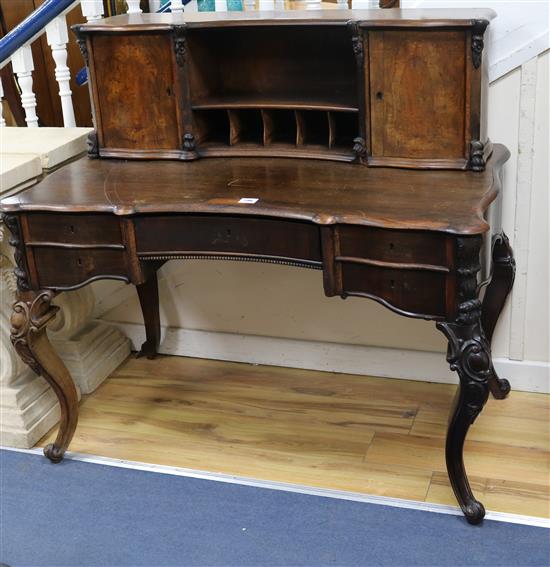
(91,350)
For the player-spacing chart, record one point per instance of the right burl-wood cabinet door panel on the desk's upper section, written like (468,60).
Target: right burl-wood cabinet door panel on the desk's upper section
(417,93)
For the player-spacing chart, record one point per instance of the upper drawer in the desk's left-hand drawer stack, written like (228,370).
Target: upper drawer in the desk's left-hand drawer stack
(73,228)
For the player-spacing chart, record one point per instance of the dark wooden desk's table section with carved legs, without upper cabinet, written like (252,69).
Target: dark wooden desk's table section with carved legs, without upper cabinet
(411,240)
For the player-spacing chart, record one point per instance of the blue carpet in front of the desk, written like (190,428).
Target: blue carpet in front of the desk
(82,514)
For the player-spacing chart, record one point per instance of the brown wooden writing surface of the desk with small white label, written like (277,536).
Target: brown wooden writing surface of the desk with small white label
(310,190)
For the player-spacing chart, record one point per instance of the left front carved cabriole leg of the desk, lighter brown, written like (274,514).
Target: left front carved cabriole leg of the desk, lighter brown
(31,313)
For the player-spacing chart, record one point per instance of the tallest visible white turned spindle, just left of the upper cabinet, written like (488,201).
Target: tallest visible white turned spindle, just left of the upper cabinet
(57,37)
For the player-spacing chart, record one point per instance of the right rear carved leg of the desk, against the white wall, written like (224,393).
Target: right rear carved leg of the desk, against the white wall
(502,280)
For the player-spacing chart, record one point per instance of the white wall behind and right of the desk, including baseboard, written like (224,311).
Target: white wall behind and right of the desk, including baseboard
(223,309)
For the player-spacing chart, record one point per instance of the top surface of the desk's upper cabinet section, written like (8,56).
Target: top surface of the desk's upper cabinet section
(368,18)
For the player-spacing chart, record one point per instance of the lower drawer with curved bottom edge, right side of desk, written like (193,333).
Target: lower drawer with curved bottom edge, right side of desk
(413,291)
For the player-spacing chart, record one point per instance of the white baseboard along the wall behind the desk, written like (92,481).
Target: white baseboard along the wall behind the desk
(528,376)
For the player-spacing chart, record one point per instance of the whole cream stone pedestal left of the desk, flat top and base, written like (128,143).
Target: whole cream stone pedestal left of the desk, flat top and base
(91,350)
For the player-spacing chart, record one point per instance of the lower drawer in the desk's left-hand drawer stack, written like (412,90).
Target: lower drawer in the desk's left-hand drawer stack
(66,267)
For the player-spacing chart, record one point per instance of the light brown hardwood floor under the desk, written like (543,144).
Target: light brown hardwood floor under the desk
(371,435)
